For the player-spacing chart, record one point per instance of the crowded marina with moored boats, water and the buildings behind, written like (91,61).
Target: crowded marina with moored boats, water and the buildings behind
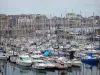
(37,45)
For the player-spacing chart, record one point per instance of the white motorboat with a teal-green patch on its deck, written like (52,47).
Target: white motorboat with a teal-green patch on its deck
(24,60)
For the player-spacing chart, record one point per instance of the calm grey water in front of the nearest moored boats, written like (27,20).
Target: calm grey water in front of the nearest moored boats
(7,68)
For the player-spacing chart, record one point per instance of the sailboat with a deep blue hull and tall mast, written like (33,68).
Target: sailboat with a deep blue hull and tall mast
(90,59)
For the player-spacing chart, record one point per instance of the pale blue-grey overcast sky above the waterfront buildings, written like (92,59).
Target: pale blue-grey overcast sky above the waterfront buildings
(53,7)
